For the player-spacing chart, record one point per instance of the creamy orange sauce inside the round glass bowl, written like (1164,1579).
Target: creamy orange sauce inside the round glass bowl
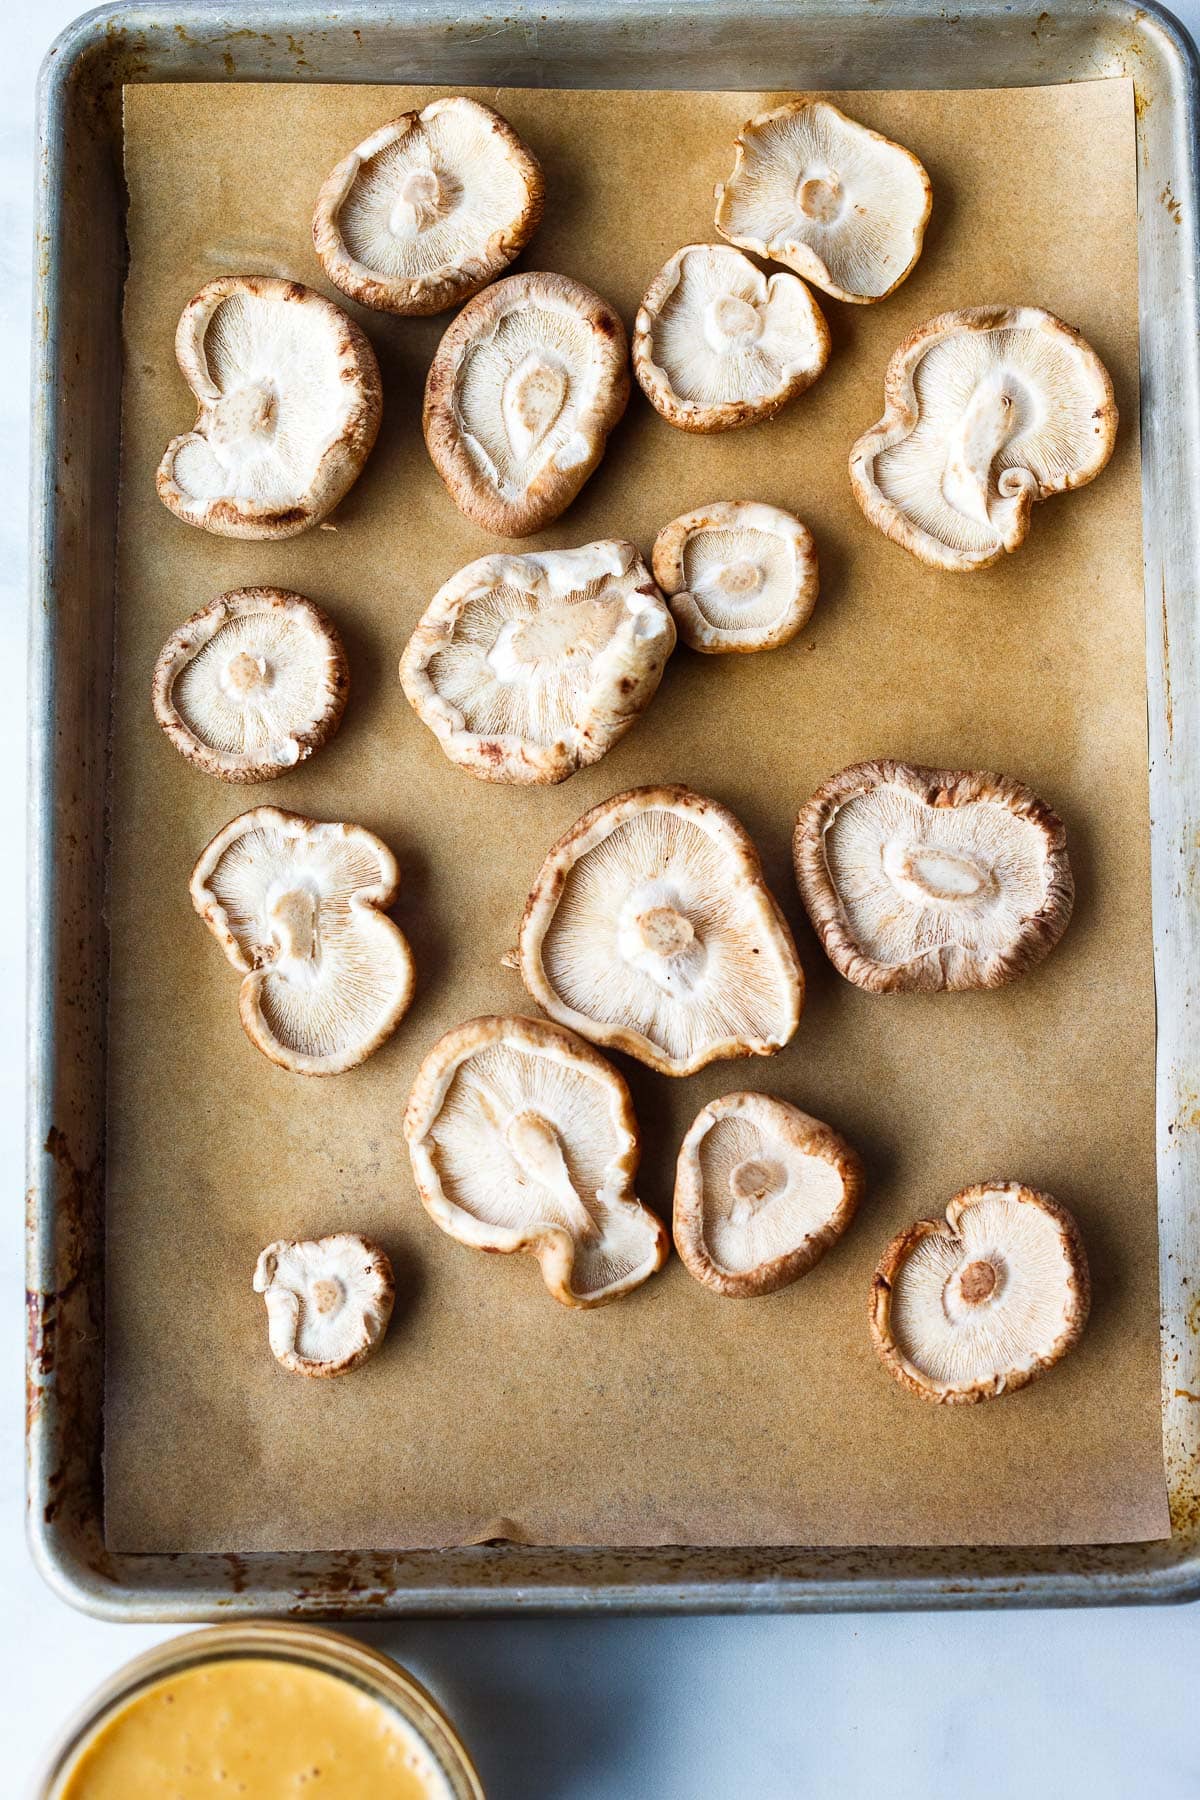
(255,1729)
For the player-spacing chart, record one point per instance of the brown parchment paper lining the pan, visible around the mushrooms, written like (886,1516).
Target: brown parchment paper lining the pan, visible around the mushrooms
(672,1416)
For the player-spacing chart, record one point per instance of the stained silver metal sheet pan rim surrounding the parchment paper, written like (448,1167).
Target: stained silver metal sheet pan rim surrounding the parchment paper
(80,253)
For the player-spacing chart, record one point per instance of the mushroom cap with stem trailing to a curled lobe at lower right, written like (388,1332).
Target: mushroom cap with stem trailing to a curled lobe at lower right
(524,1138)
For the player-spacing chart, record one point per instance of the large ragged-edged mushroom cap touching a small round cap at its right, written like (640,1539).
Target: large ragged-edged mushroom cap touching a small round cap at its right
(528,669)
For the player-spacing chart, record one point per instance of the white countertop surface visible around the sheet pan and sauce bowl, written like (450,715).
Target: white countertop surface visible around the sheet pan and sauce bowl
(992,1707)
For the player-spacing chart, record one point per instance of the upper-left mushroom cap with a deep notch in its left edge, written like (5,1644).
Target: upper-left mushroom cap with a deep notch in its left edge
(289,408)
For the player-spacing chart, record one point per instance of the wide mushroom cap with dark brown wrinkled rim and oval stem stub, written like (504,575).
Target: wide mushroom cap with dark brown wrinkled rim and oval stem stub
(933,879)
